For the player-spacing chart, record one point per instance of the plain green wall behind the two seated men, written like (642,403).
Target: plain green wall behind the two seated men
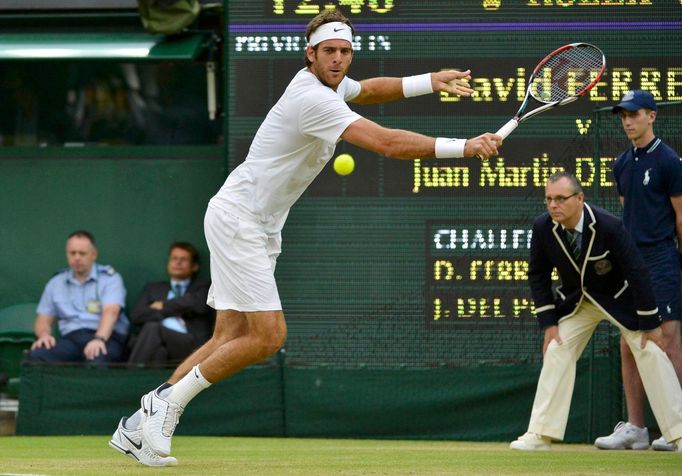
(134,207)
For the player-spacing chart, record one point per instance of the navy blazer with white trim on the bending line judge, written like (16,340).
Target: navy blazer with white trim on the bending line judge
(610,272)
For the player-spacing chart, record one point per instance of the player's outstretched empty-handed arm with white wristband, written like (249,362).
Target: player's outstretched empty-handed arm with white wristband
(386,89)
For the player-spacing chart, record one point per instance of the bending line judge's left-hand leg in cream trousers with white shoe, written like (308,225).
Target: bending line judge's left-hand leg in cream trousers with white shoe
(557,378)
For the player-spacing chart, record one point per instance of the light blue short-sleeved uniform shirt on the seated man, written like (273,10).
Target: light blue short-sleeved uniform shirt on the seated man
(78,305)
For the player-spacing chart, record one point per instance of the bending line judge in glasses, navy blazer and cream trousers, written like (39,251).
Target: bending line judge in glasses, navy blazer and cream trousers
(603,277)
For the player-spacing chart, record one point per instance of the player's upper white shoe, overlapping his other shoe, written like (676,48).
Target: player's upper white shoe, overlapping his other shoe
(159,421)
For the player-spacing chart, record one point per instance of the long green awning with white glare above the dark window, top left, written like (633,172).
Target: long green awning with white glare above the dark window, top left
(92,46)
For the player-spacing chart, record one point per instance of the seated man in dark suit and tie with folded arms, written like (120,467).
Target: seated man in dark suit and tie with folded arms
(174,316)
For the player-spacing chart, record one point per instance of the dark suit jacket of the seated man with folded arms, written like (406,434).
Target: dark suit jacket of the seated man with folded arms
(191,306)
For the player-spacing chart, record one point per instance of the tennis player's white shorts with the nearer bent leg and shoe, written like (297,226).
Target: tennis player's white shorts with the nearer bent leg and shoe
(243,287)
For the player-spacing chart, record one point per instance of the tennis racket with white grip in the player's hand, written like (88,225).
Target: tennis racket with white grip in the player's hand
(559,79)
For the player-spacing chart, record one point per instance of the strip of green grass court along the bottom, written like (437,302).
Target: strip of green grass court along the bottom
(90,455)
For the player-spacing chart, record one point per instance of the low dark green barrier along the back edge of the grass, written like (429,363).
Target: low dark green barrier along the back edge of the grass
(488,403)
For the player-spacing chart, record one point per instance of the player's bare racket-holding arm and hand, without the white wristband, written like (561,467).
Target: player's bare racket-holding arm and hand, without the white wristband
(402,144)
